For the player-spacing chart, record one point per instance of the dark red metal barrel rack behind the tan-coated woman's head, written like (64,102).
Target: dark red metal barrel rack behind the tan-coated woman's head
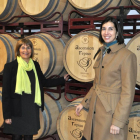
(93,22)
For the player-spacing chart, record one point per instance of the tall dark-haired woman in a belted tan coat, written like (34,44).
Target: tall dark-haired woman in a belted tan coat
(110,98)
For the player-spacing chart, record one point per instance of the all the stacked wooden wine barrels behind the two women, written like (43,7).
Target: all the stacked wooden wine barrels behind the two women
(56,56)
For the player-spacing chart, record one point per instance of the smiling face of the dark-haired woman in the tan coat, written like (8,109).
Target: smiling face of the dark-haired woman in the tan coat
(108,32)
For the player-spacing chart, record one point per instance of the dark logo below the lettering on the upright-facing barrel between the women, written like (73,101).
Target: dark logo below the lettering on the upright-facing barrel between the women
(85,63)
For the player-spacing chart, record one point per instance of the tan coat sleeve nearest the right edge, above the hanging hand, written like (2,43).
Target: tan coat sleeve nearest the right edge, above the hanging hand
(128,79)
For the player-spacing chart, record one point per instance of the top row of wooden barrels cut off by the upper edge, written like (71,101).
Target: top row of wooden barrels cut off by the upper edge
(44,9)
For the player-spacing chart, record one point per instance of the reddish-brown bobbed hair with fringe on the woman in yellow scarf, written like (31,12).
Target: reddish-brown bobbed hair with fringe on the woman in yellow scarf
(26,42)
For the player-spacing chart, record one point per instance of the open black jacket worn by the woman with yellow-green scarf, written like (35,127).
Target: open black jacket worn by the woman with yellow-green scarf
(12,102)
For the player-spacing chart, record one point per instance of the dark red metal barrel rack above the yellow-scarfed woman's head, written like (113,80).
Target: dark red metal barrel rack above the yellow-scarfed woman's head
(27,28)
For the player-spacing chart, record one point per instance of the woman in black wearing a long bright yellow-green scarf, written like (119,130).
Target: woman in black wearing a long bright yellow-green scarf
(23,94)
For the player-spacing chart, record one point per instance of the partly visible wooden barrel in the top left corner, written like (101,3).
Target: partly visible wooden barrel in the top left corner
(9,9)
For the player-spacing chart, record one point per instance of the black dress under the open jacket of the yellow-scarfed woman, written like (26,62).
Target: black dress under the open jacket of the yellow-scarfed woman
(28,123)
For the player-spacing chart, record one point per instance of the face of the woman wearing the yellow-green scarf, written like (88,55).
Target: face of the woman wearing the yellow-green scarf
(25,52)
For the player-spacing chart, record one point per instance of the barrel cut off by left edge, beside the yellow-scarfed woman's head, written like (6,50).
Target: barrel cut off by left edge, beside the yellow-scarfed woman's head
(7,47)
